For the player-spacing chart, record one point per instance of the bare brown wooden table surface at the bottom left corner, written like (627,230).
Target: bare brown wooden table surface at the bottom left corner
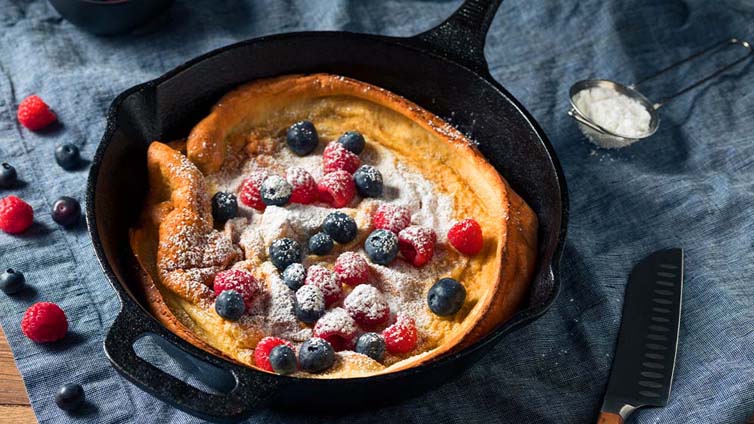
(14,403)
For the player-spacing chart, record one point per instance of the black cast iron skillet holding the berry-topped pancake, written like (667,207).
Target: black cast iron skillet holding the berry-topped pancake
(443,70)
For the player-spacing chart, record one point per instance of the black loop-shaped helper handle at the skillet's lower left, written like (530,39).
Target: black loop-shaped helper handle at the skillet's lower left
(253,389)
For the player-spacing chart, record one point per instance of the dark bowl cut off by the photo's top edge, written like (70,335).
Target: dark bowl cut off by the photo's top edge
(109,17)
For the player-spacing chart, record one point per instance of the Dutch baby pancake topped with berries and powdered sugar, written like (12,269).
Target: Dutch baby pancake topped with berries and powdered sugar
(319,226)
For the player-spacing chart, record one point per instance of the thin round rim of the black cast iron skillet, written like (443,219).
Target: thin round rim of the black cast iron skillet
(518,320)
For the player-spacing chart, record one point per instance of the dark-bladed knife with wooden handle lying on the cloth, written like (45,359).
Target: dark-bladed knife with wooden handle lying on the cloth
(642,372)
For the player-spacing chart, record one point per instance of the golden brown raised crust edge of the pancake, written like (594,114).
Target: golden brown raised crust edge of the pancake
(510,225)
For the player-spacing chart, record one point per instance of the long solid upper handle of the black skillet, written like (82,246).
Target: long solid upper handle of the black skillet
(461,37)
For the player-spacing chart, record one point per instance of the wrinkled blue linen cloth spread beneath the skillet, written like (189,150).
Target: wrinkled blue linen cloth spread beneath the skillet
(690,185)
